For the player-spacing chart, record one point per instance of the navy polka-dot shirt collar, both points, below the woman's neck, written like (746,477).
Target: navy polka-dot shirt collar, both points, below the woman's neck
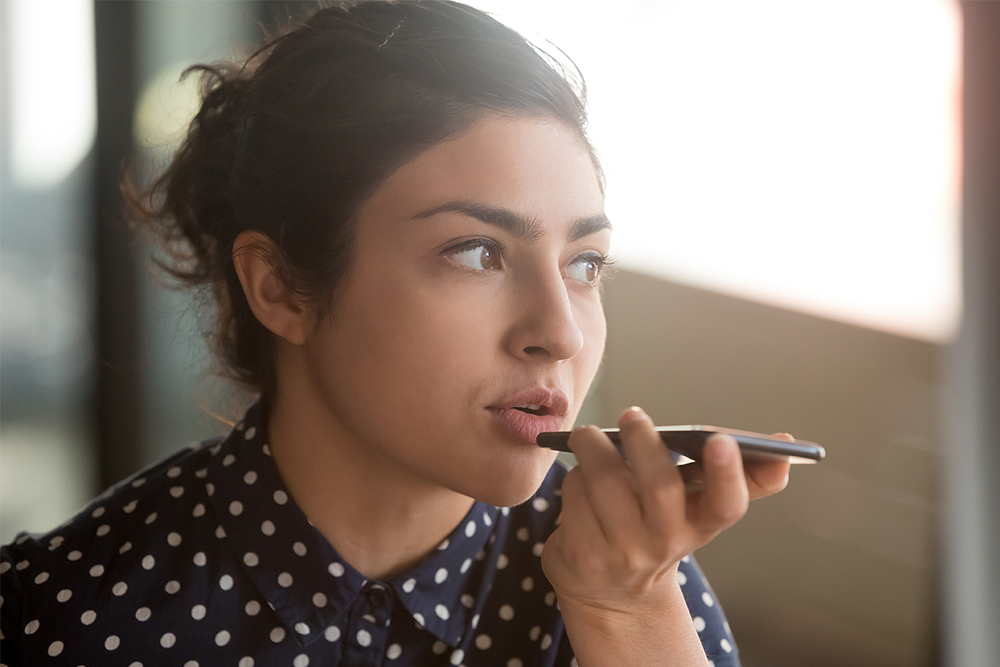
(299,573)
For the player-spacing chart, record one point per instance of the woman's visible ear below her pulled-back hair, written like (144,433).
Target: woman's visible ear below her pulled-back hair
(272,303)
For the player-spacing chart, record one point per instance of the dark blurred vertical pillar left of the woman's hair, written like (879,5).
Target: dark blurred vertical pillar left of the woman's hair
(118,396)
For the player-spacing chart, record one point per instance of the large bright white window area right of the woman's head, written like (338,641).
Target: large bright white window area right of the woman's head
(804,154)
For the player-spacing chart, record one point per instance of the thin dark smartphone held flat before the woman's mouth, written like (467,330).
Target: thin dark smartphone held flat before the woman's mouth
(686,442)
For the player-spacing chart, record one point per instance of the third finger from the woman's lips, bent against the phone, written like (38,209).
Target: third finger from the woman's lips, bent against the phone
(725,498)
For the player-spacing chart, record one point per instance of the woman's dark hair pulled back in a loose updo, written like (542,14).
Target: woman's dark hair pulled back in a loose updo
(292,142)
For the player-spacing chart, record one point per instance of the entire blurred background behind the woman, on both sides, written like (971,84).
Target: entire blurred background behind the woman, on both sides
(784,178)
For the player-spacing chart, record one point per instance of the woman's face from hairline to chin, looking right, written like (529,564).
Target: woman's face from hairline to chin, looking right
(471,319)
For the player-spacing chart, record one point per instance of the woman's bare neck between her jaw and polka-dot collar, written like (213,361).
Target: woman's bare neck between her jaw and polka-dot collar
(380,518)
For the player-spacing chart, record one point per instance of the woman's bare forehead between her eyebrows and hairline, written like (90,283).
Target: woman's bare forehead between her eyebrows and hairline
(537,167)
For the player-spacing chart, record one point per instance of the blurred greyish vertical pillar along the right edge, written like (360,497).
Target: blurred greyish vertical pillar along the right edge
(972,435)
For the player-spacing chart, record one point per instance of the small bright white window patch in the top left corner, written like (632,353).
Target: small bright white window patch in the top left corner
(53,97)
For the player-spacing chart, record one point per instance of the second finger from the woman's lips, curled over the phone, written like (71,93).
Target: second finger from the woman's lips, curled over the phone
(657,480)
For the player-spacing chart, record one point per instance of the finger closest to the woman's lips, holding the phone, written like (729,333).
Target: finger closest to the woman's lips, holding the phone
(607,481)
